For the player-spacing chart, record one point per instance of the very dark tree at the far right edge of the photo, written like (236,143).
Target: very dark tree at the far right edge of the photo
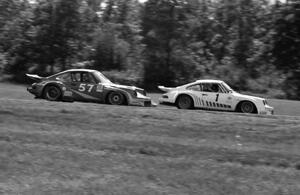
(287,46)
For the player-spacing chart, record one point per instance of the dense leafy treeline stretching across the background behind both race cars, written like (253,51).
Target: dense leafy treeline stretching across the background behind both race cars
(252,44)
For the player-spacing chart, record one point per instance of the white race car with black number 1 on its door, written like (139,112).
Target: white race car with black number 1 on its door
(213,95)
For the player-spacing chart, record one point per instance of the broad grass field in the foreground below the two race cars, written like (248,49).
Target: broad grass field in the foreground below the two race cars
(83,148)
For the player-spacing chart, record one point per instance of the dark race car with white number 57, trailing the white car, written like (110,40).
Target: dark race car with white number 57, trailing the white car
(86,85)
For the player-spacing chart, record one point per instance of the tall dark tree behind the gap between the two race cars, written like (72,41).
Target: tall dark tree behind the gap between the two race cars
(162,25)
